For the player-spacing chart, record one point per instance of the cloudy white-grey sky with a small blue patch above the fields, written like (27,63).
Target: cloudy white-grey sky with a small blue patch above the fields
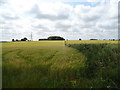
(71,19)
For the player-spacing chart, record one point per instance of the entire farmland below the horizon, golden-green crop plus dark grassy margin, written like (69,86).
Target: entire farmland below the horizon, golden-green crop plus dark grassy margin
(51,64)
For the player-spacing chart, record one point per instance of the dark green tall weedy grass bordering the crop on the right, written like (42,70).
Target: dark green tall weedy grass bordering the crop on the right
(102,64)
